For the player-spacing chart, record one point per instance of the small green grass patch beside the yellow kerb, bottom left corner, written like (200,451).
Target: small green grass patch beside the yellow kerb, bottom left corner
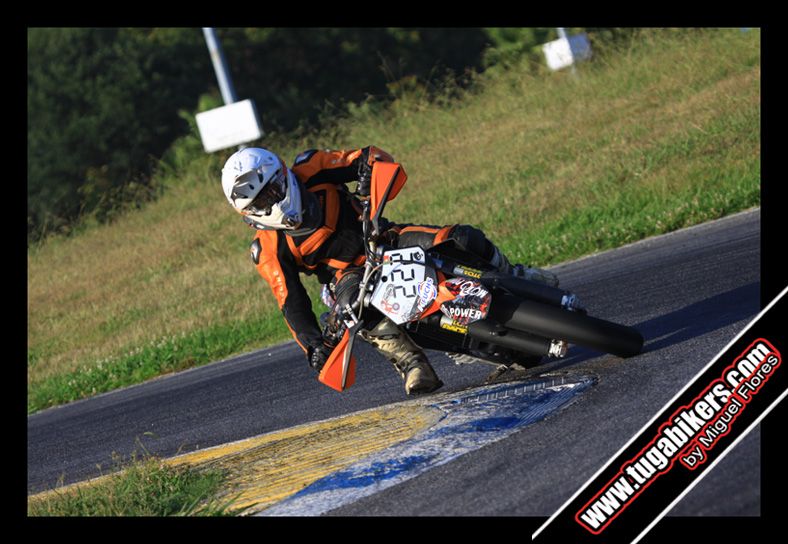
(145,487)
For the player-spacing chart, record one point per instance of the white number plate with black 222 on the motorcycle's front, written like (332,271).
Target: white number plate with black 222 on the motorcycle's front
(406,286)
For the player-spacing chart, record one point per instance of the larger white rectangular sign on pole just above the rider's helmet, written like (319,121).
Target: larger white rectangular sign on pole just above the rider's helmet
(228,126)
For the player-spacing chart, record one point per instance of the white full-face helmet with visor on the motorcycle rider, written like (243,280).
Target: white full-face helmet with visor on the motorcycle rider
(261,188)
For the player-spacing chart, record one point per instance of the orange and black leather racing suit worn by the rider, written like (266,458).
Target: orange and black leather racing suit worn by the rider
(331,245)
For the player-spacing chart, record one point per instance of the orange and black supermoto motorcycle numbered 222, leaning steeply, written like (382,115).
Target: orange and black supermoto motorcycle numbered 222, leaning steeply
(450,300)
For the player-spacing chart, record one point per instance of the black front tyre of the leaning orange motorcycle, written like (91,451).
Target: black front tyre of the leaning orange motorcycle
(560,324)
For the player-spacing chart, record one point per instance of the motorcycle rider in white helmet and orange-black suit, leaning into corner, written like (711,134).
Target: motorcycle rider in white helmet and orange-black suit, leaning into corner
(308,221)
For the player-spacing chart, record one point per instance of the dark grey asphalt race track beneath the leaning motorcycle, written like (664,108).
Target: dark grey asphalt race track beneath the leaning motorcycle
(689,293)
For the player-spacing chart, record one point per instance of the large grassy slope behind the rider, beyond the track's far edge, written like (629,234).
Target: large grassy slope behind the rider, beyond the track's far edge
(651,137)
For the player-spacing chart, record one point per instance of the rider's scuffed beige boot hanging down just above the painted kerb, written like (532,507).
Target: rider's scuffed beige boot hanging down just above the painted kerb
(408,359)
